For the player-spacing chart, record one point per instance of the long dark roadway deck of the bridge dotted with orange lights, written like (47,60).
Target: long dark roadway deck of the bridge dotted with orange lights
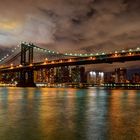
(97,59)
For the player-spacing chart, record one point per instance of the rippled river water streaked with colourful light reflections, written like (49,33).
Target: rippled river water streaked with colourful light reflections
(69,114)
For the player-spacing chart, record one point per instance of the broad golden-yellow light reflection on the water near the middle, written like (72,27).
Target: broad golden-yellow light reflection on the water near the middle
(57,116)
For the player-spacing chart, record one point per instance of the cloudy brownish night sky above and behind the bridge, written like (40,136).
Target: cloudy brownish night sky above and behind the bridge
(78,26)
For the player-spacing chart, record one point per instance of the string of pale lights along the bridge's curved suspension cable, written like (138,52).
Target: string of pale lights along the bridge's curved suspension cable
(65,54)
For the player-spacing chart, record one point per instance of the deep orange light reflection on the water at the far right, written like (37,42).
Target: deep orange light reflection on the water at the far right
(124,115)
